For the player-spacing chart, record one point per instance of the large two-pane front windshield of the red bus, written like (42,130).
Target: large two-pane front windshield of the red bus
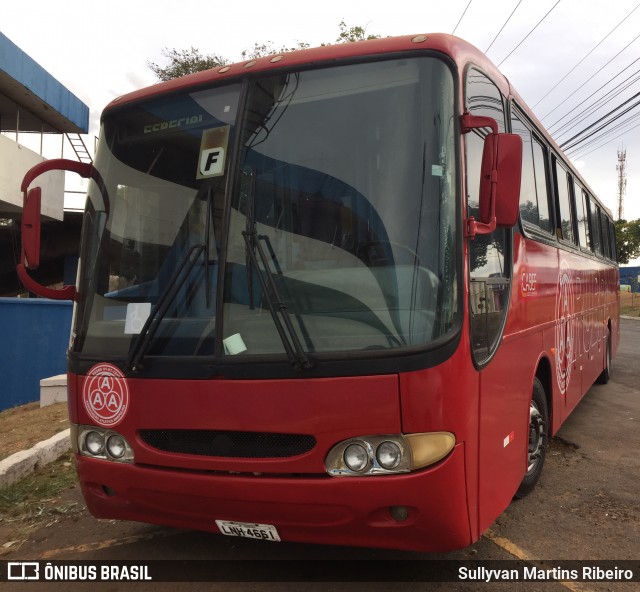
(315,208)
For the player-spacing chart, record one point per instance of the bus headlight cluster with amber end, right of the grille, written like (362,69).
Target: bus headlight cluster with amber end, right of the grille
(388,455)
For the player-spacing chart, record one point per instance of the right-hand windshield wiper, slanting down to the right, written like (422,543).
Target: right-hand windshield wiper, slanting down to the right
(275,303)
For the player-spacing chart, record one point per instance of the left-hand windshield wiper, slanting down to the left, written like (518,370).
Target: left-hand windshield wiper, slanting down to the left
(161,308)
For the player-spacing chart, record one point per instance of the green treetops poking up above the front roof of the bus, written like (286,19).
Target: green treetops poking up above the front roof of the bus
(186,62)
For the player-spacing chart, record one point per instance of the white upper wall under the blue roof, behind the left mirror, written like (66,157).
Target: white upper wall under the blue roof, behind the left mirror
(15,161)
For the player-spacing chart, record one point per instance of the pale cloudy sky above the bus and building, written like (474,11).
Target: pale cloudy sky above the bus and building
(555,53)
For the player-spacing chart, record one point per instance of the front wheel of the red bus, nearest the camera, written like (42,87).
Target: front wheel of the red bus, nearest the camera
(538,437)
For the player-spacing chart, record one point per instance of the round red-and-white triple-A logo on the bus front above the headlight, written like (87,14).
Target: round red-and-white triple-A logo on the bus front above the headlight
(105,395)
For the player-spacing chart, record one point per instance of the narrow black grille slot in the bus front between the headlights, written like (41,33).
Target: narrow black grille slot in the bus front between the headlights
(228,444)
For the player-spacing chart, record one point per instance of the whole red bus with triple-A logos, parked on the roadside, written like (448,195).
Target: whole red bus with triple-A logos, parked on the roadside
(342,295)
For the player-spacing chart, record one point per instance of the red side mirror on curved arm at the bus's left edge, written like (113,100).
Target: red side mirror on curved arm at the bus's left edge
(30,228)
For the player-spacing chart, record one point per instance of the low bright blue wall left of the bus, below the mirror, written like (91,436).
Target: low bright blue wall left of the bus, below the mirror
(35,337)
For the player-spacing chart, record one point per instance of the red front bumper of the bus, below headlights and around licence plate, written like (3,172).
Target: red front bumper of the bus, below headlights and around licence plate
(355,511)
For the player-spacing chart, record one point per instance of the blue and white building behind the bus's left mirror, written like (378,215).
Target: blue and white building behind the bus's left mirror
(35,110)
